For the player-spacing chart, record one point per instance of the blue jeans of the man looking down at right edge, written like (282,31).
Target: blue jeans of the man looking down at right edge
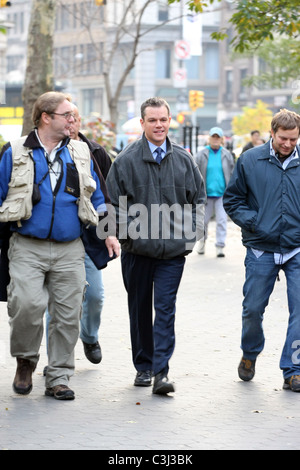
(261,274)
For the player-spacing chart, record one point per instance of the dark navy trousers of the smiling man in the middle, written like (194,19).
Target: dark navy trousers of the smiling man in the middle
(149,282)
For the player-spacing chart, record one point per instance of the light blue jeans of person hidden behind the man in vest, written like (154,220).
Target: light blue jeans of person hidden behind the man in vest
(92,304)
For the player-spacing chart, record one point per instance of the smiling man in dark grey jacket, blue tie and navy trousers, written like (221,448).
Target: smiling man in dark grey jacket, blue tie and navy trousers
(153,173)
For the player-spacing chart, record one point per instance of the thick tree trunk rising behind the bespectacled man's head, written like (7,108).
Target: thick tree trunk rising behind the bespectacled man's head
(39,71)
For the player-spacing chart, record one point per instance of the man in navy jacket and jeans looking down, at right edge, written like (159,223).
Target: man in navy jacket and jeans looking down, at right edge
(263,198)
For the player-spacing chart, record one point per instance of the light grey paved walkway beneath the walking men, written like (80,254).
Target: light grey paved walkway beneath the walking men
(211,409)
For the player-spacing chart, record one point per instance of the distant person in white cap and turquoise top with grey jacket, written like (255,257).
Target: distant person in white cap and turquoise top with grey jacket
(216,165)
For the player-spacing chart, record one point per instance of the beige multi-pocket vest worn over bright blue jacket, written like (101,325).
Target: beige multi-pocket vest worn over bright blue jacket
(18,203)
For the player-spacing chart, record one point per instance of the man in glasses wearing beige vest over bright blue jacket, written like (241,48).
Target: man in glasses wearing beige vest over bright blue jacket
(48,191)
